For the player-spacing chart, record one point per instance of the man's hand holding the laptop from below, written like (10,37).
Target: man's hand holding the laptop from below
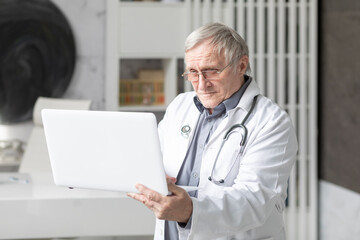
(176,207)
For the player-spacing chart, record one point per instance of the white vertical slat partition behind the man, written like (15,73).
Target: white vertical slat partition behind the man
(282,40)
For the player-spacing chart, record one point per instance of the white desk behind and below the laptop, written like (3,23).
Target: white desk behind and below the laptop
(42,210)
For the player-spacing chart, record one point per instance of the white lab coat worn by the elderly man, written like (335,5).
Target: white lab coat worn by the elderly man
(250,204)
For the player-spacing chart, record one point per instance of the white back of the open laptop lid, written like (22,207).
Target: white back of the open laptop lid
(104,150)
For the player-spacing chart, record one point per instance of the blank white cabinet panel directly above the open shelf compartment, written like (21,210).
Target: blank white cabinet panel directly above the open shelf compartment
(151,29)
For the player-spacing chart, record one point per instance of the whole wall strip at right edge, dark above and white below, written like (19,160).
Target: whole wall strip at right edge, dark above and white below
(339,167)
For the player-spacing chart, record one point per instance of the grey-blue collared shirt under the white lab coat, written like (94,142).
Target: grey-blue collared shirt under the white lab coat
(190,170)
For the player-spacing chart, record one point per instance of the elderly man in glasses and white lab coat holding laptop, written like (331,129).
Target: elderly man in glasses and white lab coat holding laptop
(236,145)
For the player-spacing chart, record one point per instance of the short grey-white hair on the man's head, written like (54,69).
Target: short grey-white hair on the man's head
(223,38)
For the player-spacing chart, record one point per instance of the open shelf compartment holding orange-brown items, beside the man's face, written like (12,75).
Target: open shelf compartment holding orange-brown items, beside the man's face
(161,75)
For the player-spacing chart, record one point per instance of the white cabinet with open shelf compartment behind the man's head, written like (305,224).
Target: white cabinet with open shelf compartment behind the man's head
(144,30)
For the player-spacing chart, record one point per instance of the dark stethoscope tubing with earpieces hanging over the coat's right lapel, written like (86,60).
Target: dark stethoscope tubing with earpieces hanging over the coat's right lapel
(226,137)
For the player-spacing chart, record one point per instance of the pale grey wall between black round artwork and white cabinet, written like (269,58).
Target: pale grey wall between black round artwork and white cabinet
(87,19)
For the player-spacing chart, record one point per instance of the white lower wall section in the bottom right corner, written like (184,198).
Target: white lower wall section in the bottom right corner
(339,210)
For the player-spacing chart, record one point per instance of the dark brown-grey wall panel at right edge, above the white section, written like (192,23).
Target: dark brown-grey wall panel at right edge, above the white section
(340,92)
